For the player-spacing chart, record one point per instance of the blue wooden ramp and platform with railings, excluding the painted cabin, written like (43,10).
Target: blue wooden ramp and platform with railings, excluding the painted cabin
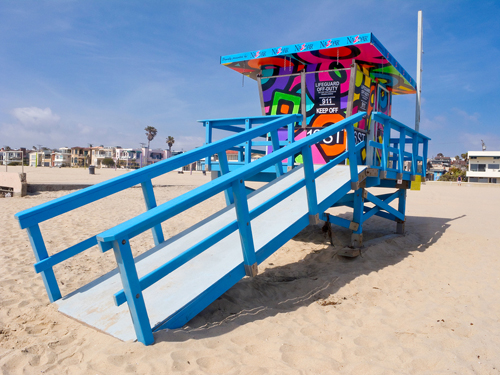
(169,284)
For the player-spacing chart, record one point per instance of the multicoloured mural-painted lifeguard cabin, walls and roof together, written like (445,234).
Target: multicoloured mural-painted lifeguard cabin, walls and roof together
(326,68)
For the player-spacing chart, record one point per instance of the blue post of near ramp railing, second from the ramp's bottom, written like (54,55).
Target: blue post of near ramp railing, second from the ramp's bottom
(245,228)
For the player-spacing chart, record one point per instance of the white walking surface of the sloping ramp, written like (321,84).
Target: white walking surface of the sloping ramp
(93,304)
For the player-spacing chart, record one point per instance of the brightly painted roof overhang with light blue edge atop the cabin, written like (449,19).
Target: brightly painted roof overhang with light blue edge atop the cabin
(326,54)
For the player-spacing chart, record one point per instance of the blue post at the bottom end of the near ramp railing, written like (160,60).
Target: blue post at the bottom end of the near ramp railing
(133,291)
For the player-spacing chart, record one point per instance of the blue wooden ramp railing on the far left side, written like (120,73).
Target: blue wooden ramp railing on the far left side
(31,218)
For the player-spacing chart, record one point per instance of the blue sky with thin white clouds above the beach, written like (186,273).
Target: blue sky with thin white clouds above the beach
(79,72)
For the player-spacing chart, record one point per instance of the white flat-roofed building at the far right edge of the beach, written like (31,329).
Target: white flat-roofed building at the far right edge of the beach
(484,166)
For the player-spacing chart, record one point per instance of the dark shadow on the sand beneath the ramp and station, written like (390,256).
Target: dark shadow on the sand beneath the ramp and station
(319,275)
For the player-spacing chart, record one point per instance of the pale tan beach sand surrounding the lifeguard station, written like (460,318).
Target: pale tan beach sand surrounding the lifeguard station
(423,303)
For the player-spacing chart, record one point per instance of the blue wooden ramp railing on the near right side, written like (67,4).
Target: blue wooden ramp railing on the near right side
(118,238)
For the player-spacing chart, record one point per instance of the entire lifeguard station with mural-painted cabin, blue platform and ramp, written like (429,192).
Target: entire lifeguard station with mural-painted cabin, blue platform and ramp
(326,135)
